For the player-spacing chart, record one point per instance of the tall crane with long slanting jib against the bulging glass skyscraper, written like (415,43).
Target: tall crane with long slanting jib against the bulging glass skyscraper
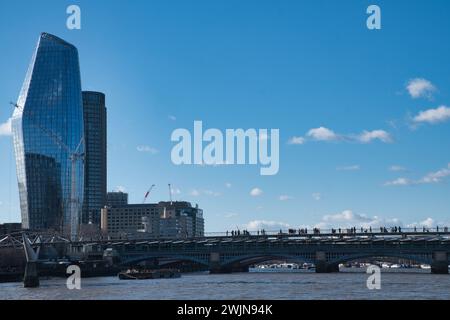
(74,156)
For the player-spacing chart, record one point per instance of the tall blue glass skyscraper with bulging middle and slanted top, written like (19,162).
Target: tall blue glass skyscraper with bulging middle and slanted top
(47,131)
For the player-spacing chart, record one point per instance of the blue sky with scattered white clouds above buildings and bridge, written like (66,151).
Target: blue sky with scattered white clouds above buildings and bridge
(292,65)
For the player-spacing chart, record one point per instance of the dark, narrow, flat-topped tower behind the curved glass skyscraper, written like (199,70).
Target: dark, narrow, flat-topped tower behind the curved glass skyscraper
(95,165)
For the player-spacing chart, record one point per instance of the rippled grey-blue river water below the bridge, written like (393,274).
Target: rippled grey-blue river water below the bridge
(402,284)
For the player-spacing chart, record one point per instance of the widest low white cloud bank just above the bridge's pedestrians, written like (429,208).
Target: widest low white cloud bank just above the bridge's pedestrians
(349,219)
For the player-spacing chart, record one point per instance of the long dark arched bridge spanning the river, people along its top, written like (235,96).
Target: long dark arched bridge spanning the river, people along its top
(225,254)
